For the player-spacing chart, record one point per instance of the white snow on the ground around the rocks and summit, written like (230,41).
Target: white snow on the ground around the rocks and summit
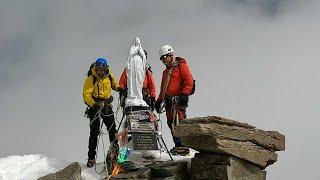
(31,167)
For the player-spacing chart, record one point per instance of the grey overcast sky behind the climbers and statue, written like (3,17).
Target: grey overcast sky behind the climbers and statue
(255,61)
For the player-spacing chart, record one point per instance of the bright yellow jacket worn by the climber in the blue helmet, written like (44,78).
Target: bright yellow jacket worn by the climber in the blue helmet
(101,89)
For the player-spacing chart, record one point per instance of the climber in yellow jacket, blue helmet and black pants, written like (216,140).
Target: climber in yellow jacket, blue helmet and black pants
(97,95)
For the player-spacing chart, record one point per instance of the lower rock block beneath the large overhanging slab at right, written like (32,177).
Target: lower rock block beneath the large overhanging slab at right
(221,167)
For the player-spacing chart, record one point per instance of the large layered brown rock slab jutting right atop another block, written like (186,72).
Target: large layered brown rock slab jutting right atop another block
(224,136)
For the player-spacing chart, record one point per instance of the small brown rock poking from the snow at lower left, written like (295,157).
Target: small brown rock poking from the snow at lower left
(71,172)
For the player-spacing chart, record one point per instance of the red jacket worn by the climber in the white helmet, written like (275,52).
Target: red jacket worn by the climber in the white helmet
(181,80)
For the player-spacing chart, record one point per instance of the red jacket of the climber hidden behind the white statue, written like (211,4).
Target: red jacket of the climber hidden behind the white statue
(148,82)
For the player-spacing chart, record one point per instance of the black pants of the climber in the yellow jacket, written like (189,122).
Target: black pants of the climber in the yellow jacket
(95,127)
